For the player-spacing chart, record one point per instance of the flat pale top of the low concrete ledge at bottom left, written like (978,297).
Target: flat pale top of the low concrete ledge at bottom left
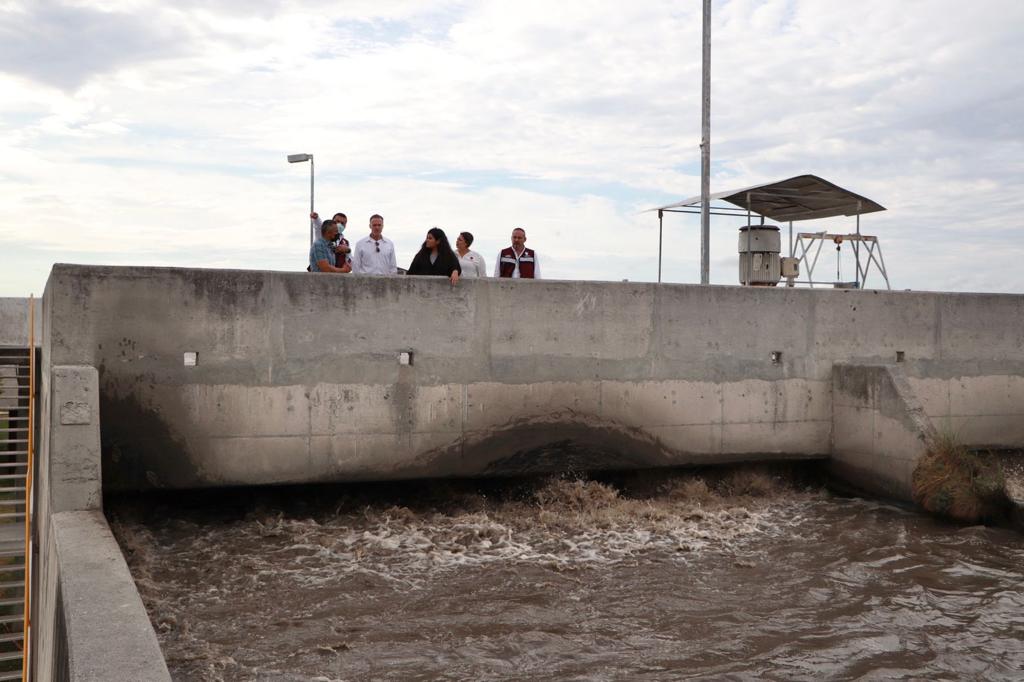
(109,634)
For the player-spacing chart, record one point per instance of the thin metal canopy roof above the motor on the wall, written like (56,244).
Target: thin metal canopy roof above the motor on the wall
(800,198)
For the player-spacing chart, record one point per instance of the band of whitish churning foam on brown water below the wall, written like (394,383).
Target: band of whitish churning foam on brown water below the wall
(578,524)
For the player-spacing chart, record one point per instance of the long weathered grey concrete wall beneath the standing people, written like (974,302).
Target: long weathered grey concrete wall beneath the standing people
(303,378)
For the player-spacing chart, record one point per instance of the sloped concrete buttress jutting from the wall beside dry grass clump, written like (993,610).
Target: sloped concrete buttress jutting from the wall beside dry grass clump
(880,430)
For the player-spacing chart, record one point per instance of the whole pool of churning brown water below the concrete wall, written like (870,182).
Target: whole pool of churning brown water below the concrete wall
(665,578)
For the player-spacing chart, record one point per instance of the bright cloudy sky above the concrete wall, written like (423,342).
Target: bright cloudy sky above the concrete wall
(148,133)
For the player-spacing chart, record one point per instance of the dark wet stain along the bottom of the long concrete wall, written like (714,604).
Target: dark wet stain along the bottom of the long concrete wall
(142,452)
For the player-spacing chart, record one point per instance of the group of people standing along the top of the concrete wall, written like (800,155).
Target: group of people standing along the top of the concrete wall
(374,254)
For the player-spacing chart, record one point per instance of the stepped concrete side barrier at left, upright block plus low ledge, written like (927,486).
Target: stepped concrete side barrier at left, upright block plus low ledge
(89,620)
